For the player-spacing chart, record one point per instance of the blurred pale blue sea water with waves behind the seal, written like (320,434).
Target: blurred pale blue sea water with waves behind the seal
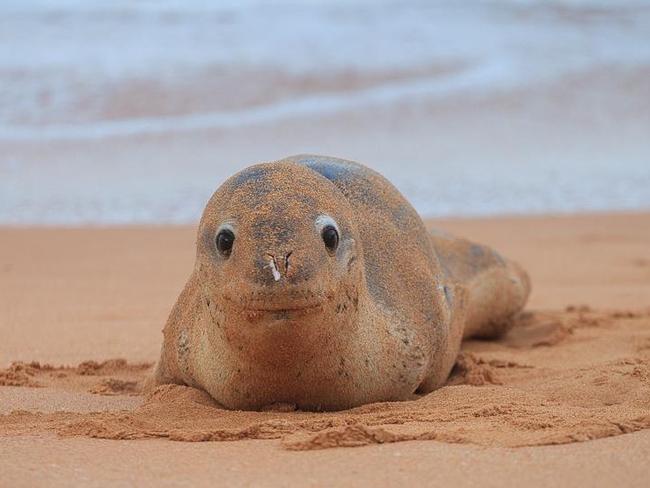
(115,112)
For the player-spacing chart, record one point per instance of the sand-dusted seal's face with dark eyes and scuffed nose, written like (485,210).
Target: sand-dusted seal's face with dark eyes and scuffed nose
(277,245)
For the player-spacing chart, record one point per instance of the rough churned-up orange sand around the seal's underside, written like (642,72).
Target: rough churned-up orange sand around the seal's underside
(557,377)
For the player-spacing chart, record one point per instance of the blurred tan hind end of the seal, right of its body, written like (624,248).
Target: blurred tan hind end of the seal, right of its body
(497,289)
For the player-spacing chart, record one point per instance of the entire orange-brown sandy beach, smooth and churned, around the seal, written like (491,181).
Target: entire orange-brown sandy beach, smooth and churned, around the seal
(564,398)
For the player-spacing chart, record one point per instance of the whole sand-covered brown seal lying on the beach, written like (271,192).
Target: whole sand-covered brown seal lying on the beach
(316,284)
